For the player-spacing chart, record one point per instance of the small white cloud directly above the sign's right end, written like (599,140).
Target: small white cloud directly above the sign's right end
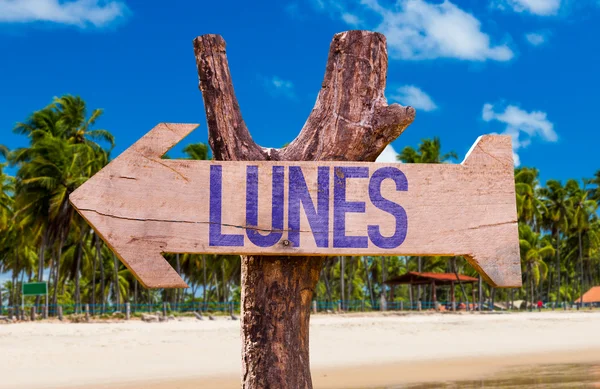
(521,125)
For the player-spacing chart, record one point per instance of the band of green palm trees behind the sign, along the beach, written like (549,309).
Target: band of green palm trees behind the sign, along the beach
(42,238)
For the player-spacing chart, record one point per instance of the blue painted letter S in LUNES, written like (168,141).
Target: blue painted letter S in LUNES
(388,206)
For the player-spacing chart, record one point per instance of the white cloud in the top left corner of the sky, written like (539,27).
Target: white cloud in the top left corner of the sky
(79,12)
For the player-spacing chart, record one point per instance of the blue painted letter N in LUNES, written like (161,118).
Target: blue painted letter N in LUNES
(319,218)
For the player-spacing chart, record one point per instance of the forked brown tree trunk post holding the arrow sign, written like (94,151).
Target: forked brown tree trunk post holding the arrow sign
(351,121)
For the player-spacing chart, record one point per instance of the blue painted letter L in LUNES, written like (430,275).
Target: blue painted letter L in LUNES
(215,237)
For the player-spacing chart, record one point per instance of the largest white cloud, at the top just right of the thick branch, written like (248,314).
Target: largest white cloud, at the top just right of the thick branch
(420,30)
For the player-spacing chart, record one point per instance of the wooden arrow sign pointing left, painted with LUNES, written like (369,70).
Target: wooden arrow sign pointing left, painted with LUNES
(144,206)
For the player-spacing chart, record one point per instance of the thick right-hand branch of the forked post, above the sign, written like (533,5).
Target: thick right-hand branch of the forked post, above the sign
(351,120)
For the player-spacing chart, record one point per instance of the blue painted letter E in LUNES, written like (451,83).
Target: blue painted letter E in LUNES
(341,207)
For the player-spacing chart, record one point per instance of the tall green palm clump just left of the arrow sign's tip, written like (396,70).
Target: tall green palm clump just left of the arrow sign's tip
(61,156)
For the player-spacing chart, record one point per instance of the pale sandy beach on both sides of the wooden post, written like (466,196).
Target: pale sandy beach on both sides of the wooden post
(347,351)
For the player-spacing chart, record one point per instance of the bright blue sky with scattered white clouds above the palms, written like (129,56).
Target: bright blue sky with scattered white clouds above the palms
(528,68)
